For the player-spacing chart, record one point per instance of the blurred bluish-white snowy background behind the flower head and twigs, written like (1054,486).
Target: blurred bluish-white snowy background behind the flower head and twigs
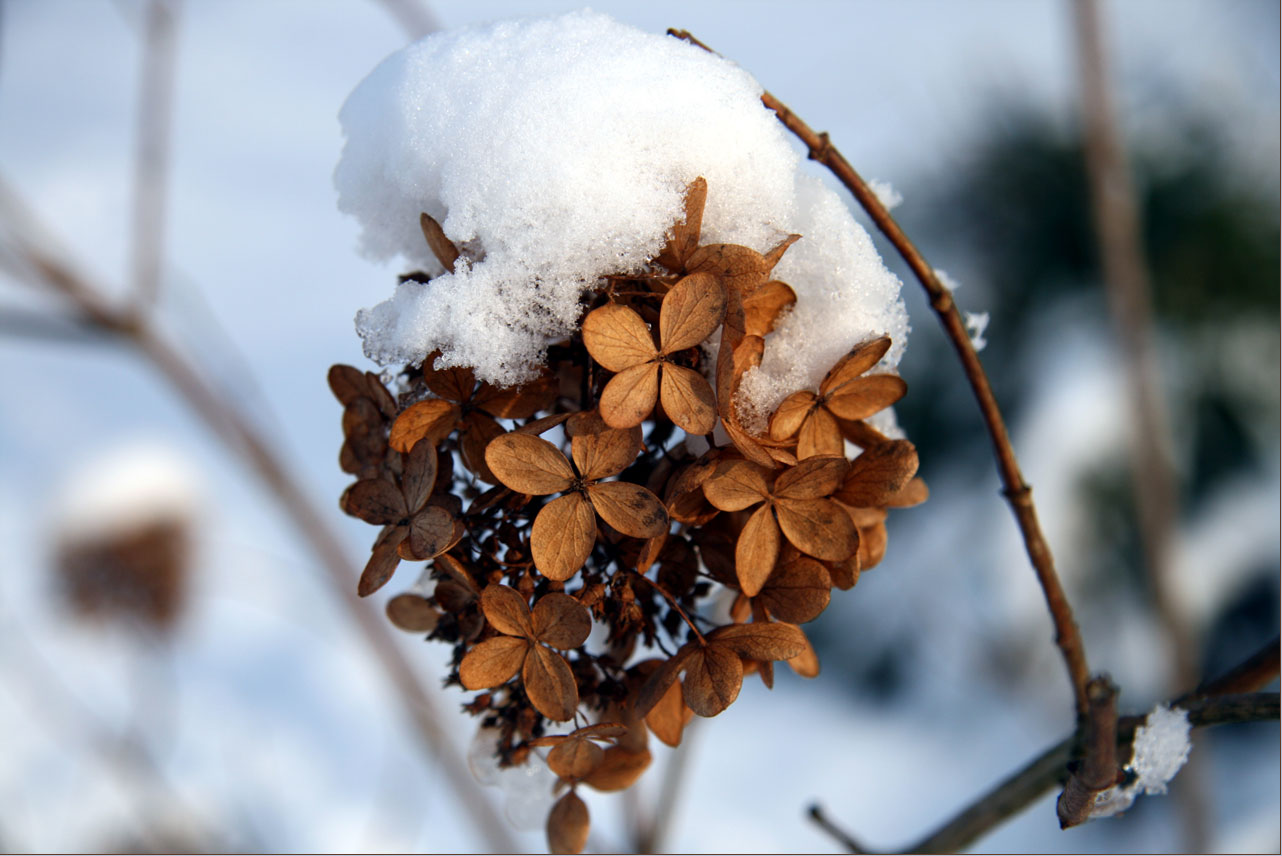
(272,727)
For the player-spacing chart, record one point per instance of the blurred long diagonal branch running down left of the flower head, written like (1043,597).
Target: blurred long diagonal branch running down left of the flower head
(224,418)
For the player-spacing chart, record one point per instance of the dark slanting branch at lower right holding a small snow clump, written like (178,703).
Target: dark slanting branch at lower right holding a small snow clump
(1051,770)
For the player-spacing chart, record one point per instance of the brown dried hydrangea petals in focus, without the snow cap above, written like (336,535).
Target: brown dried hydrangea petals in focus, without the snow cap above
(553,575)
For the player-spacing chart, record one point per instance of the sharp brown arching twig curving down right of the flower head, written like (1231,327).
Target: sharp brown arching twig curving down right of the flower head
(1016,490)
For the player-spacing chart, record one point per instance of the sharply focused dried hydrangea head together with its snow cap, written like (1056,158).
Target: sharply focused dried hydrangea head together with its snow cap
(576,439)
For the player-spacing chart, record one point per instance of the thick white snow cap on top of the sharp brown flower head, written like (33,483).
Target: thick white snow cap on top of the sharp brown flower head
(554,152)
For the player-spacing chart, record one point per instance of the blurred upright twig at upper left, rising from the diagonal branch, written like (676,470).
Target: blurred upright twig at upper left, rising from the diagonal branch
(152,157)
